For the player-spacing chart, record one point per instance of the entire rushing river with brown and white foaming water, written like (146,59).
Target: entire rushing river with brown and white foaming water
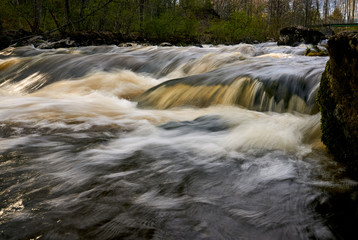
(219,142)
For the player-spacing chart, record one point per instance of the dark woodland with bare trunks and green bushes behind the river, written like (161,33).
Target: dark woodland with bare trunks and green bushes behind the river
(216,21)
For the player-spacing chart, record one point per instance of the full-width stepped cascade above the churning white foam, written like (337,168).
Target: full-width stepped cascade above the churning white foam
(257,78)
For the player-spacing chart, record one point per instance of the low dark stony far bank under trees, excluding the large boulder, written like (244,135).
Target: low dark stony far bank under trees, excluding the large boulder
(95,38)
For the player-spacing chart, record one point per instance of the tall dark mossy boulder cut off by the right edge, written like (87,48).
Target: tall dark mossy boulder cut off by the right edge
(338,99)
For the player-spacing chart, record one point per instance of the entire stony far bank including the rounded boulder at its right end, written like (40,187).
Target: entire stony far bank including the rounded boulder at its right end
(292,36)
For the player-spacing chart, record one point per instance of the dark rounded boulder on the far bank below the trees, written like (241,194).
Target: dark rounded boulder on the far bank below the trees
(293,36)
